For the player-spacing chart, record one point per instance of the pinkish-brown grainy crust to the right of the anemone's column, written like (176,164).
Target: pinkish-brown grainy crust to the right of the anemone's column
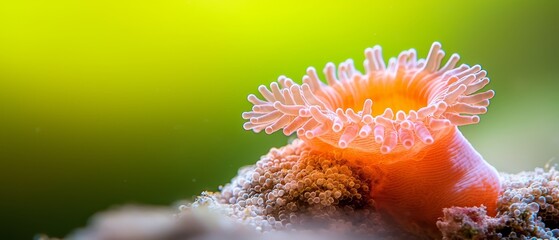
(528,207)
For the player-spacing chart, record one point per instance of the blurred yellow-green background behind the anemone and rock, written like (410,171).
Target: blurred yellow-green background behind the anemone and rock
(107,102)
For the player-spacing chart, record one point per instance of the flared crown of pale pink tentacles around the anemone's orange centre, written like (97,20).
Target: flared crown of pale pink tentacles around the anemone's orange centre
(349,106)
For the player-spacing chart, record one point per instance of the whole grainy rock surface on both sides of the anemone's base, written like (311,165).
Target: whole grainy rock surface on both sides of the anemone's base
(294,194)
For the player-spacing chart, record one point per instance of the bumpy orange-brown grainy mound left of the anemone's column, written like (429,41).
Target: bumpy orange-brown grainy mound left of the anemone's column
(292,187)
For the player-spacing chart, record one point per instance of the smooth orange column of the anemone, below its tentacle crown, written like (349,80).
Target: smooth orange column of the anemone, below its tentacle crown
(447,173)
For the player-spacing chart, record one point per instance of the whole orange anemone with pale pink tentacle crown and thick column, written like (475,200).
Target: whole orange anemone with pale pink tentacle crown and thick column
(401,118)
